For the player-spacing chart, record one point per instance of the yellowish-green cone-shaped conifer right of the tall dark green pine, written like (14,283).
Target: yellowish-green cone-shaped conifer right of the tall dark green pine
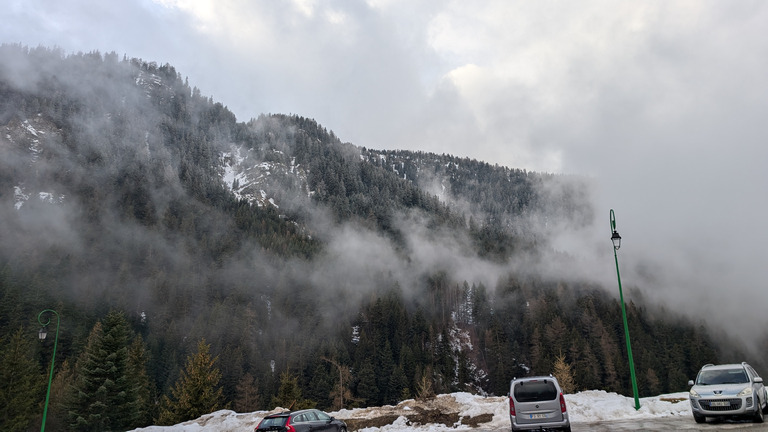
(197,390)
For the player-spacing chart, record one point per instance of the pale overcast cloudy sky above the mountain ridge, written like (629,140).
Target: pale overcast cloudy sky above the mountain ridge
(663,104)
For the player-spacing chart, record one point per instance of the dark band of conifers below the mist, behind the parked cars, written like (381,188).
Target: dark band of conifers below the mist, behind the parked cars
(114,379)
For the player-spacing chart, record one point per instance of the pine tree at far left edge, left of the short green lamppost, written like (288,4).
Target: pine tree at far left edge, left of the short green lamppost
(20,382)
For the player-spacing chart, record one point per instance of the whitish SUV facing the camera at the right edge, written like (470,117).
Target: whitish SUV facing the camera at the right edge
(728,390)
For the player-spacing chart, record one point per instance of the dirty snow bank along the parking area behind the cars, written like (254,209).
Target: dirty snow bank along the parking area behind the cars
(583,407)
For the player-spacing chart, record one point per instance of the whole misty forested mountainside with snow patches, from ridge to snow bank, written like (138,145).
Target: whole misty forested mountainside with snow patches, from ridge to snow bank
(275,263)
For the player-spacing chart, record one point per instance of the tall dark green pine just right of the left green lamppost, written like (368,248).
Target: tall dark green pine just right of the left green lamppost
(104,396)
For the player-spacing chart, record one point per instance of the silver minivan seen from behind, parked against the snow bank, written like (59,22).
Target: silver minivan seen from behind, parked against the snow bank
(537,403)
